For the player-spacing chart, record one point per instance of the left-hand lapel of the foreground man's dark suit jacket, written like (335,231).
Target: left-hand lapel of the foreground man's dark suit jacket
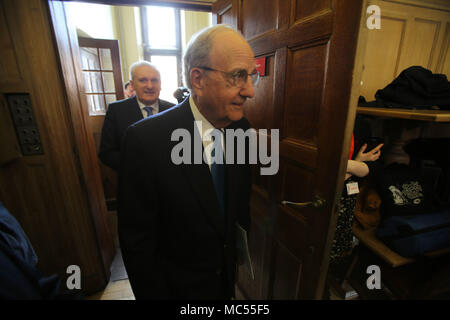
(199,176)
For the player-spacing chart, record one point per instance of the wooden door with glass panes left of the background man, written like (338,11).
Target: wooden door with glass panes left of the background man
(102,75)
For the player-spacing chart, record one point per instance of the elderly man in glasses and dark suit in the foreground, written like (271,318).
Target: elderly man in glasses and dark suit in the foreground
(177,221)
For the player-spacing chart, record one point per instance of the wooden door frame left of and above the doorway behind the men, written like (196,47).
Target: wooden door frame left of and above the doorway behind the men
(67,50)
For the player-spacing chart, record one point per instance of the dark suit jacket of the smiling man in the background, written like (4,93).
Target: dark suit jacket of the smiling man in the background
(119,116)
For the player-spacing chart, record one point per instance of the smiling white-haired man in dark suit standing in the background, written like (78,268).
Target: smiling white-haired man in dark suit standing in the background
(146,81)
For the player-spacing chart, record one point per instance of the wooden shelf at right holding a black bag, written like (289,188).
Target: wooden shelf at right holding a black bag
(423,115)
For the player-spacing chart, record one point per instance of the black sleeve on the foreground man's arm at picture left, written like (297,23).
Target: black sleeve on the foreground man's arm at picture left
(138,220)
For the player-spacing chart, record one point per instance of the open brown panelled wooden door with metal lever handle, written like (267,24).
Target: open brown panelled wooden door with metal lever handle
(310,53)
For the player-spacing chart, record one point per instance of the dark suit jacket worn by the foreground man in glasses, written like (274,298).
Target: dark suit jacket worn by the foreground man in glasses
(176,243)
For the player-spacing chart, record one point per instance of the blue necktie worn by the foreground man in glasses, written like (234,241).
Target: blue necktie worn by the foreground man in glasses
(218,172)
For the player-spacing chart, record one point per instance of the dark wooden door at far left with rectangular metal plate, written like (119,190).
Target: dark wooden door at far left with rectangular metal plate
(56,194)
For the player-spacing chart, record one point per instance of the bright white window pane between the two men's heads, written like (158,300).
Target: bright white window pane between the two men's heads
(167,66)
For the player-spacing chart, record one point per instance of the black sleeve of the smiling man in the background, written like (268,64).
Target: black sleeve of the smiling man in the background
(109,152)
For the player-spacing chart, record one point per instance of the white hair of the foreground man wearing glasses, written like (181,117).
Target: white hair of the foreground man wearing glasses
(199,47)
